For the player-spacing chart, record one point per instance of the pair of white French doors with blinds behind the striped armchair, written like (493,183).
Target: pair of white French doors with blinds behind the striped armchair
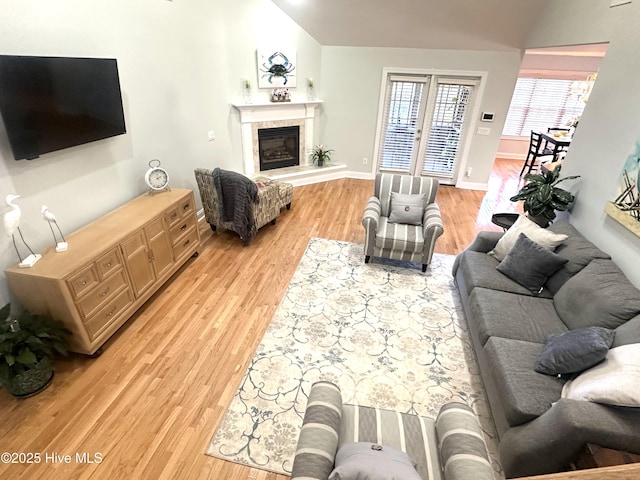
(425,119)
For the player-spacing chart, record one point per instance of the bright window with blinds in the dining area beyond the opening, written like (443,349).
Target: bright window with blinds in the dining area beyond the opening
(540,103)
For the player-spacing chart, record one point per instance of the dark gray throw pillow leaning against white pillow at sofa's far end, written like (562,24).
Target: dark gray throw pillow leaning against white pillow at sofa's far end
(529,264)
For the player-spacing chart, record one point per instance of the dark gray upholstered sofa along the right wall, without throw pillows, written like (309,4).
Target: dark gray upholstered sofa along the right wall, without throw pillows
(540,432)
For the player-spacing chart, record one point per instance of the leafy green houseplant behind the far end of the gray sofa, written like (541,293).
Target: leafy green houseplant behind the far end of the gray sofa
(542,197)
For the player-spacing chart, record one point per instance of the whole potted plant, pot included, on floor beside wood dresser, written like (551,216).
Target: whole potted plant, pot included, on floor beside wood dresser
(27,345)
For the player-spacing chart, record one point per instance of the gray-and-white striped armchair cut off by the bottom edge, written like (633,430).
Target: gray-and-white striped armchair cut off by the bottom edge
(451,447)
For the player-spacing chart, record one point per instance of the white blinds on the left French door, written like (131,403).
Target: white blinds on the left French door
(402,114)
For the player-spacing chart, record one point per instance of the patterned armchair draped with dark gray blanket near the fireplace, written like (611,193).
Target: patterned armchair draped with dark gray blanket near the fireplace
(241,204)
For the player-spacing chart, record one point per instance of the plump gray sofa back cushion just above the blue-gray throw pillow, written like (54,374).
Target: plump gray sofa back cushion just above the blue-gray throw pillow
(597,296)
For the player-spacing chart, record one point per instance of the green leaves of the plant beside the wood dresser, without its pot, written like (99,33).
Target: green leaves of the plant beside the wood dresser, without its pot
(23,343)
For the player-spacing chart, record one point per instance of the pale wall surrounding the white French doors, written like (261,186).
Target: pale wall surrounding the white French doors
(351,81)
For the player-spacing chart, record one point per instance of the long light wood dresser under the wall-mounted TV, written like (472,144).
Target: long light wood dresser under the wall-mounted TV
(112,266)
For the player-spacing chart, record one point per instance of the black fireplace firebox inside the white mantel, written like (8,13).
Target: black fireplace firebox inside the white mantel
(279,147)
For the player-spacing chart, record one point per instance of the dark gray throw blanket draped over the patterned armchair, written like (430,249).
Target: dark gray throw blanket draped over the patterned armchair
(237,195)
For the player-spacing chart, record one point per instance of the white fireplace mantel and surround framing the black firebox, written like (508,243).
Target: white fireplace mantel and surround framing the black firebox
(253,115)
